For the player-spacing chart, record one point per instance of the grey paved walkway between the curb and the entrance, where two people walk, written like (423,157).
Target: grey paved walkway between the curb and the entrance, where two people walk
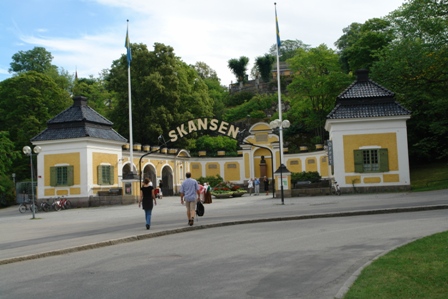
(53,233)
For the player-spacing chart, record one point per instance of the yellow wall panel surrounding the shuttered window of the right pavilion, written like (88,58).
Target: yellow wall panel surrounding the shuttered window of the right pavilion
(384,140)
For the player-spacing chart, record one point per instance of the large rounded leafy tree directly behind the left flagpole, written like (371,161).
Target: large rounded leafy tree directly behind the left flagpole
(165,93)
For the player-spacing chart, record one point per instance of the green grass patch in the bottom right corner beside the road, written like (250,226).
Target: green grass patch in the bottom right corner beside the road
(416,270)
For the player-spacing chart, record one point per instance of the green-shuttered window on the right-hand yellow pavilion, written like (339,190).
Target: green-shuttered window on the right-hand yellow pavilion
(371,160)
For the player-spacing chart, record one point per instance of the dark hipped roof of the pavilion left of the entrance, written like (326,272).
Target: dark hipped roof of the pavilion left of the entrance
(79,121)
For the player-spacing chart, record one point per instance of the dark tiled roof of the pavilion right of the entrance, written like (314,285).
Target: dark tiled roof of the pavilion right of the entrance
(366,98)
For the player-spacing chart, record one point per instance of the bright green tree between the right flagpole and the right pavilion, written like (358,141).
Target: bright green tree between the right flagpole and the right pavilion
(317,82)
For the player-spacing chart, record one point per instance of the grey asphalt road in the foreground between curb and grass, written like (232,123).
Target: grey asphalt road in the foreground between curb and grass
(312,258)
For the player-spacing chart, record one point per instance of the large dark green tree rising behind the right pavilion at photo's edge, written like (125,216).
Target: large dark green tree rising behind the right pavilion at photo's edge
(414,67)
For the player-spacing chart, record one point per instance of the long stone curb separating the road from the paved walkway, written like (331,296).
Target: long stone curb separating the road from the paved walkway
(222,224)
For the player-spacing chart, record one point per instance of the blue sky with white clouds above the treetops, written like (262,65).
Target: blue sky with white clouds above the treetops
(86,36)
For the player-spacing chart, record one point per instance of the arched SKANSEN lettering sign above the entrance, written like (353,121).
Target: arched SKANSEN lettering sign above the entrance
(204,124)
